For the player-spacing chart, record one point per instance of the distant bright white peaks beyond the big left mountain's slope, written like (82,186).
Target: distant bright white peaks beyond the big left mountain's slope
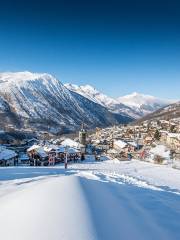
(135,105)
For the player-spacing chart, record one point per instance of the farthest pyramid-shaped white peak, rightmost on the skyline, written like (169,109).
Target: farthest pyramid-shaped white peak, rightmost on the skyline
(144,104)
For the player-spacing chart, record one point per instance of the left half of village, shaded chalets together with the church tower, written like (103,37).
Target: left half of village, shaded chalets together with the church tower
(41,152)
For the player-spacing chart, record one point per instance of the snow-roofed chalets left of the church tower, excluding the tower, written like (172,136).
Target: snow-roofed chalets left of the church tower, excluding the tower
(43,154)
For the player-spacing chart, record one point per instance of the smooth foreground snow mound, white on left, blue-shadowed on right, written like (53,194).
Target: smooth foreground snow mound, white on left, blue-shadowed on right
(75,207)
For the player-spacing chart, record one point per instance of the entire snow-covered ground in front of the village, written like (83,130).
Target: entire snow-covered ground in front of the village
(103,201)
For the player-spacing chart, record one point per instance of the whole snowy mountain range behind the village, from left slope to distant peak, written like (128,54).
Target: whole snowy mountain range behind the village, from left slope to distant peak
(40,101)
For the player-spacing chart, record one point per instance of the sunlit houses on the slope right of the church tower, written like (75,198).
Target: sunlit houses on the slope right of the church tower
(155,141)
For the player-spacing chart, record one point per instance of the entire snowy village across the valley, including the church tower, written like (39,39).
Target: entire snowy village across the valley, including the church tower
(155,141)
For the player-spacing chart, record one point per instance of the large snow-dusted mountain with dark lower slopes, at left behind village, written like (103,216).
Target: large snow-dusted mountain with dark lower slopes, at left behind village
(38,100)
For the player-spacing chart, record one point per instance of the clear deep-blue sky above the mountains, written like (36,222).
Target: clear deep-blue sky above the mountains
(117,46)
